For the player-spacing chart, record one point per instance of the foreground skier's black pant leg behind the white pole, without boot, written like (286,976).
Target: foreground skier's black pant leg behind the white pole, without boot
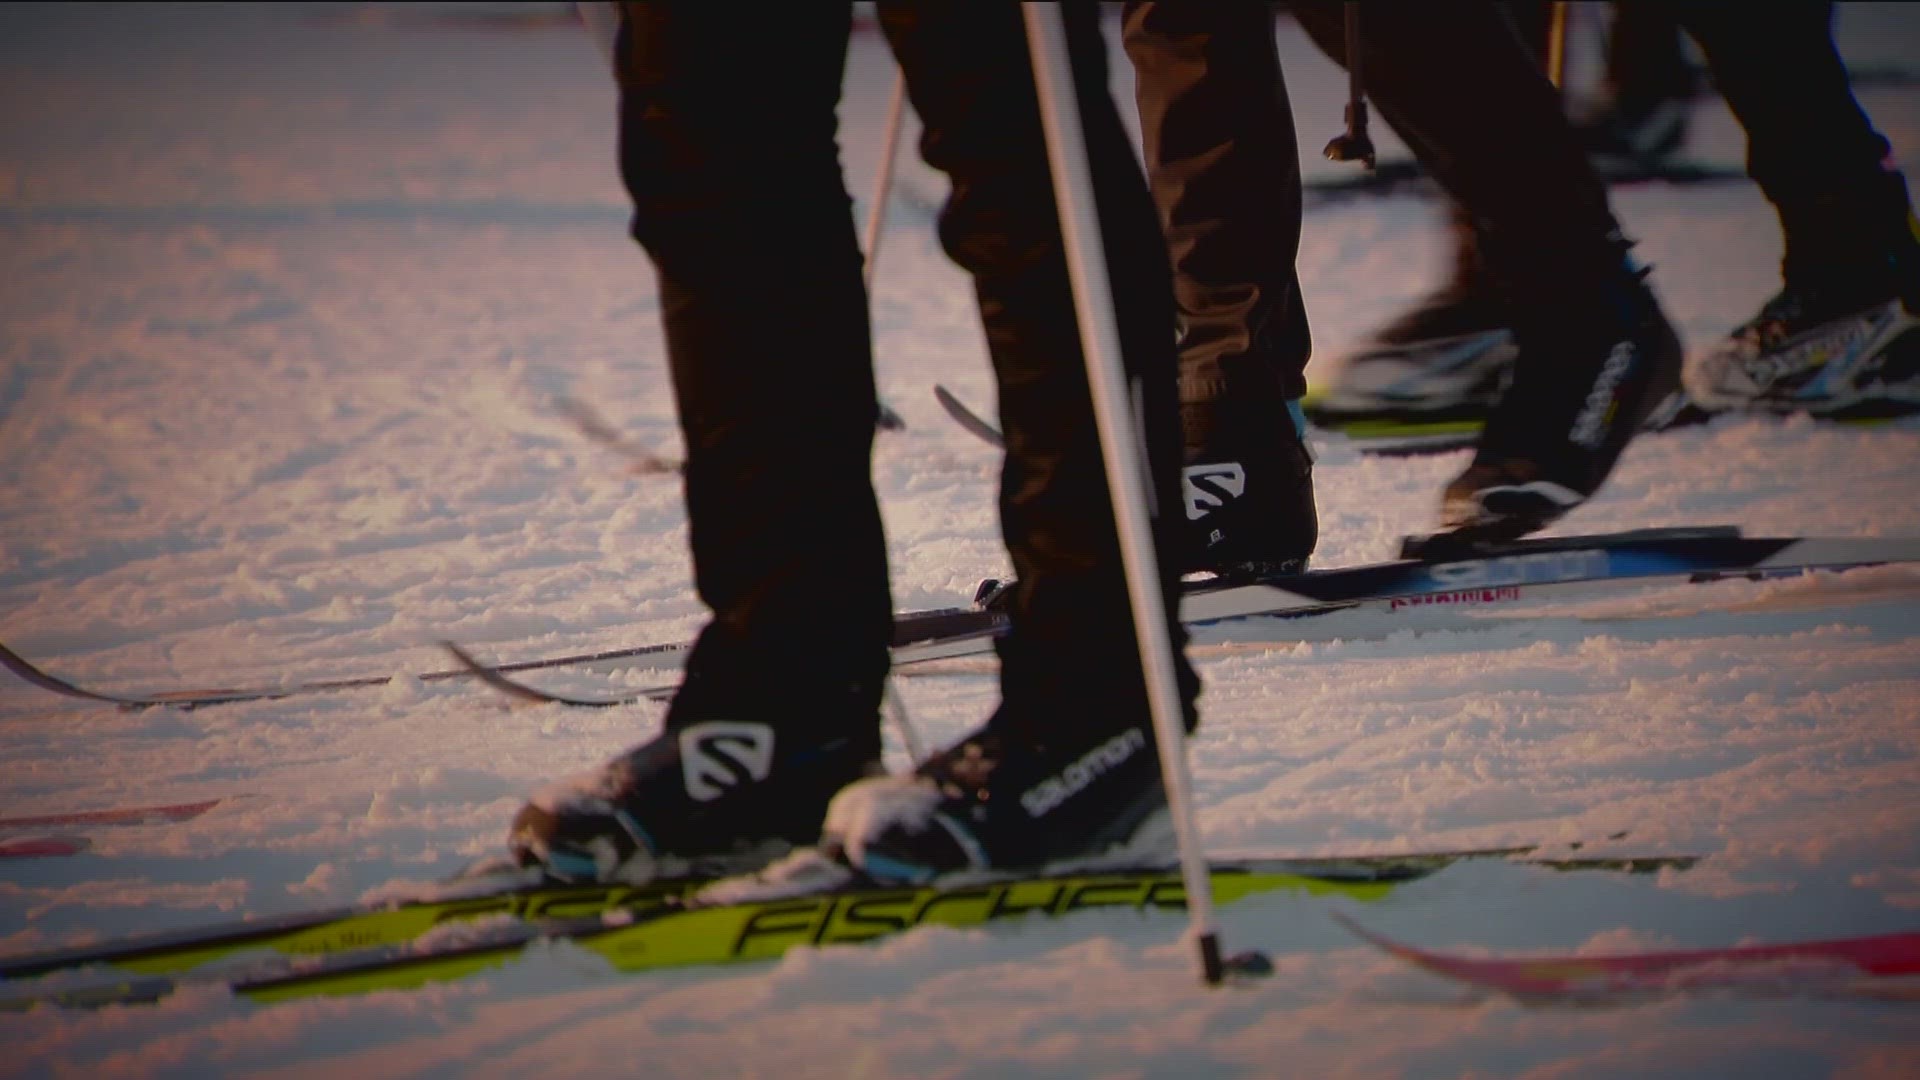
(1070,662)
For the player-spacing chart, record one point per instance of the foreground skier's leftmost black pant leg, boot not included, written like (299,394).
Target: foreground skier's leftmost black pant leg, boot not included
(729,151)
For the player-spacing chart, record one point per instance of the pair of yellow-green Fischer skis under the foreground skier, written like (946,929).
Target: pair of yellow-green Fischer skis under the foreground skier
(652,927)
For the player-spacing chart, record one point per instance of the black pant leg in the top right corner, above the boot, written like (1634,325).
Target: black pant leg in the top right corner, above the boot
(1810,145)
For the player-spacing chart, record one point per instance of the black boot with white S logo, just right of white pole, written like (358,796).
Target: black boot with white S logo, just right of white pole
(1249,499)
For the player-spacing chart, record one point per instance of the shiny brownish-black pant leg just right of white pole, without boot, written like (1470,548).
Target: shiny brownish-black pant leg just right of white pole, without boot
(1224,164)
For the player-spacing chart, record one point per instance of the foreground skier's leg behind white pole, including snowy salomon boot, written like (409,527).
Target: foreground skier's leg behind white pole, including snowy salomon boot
(1068,760)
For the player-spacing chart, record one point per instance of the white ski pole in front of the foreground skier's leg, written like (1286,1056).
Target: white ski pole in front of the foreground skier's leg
(1120,445)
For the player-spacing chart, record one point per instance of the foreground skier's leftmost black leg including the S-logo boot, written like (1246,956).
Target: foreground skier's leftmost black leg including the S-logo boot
(729,151)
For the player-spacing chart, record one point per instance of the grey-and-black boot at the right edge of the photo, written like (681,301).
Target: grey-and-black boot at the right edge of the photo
(1831,351)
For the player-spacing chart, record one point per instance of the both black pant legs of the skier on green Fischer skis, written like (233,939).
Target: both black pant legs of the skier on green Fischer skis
(729,153)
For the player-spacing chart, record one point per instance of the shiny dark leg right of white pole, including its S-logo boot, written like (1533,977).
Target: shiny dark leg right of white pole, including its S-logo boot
(1224,166)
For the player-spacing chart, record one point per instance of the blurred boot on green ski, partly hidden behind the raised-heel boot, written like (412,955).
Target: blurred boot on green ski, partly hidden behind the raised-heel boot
(1445,360)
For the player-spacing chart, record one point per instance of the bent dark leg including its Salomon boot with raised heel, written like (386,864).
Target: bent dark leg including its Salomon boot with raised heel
(1596,356)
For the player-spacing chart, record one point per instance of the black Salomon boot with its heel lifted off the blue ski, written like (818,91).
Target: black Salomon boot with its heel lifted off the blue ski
(1583,387)
